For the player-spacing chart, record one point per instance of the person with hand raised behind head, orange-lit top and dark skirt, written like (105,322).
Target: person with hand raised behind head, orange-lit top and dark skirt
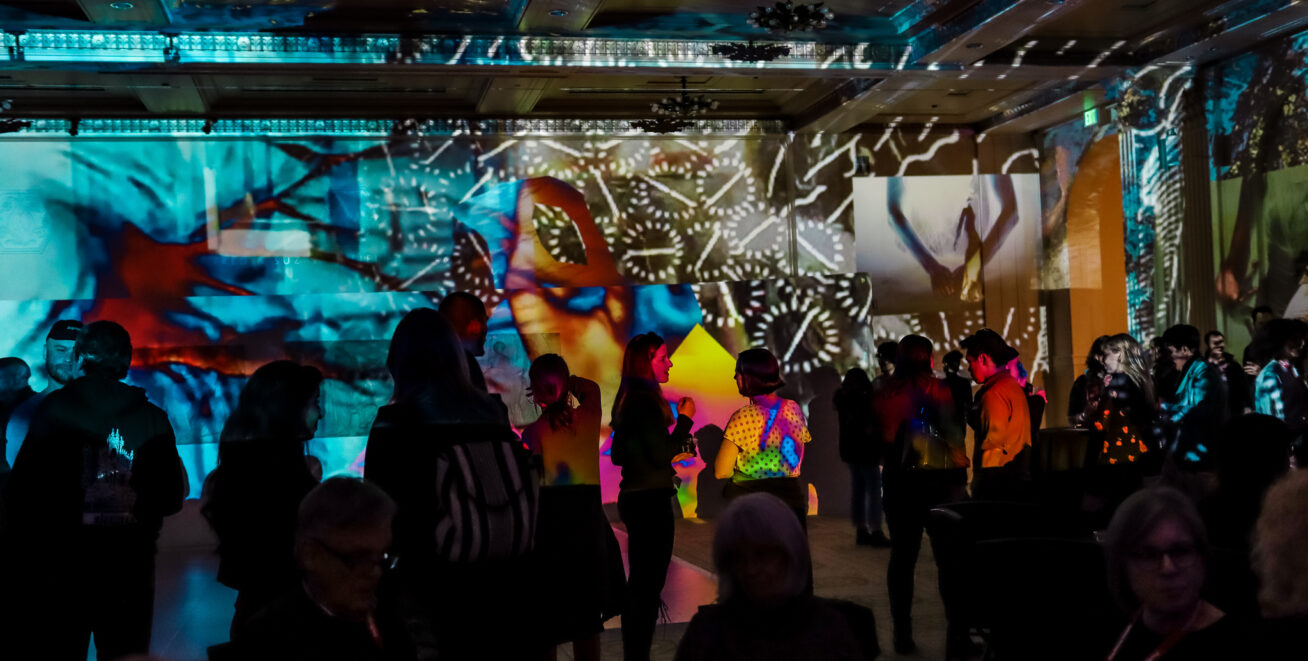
(577,554)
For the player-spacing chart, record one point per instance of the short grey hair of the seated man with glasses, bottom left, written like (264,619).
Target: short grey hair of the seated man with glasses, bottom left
(342,503)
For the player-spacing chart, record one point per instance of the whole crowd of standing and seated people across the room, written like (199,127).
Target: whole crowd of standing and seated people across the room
(461,523)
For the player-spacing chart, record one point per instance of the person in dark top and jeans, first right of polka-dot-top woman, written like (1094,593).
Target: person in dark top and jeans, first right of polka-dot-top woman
(861,451)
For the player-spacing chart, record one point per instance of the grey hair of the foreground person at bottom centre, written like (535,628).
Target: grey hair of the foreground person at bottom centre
(761,519)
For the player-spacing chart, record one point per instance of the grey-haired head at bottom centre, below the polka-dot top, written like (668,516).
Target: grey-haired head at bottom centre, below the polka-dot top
(761,552)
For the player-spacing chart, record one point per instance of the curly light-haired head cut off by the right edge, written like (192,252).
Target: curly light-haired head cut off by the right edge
(1280,540)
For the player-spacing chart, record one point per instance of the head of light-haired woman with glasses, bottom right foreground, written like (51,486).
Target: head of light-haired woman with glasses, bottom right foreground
(1157,550)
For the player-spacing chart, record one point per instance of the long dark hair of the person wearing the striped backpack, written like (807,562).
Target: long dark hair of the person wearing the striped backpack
(431,370)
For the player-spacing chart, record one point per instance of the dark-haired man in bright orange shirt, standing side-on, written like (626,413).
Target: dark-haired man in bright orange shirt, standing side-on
(1001,420)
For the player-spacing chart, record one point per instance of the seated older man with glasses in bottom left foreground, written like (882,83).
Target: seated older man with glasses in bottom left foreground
(333,613)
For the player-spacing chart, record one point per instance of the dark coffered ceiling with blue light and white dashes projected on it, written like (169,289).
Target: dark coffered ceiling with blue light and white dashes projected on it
(988,63)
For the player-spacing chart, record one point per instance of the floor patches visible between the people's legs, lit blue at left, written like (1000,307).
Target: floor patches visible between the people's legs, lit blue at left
(194,612)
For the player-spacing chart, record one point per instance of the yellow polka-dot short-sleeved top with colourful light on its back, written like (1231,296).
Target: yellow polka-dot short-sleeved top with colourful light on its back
(765,442)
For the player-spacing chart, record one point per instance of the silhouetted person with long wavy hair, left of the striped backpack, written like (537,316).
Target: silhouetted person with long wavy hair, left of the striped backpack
(264,473)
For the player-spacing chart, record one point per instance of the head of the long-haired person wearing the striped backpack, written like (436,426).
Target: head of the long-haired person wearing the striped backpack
(426,350)
